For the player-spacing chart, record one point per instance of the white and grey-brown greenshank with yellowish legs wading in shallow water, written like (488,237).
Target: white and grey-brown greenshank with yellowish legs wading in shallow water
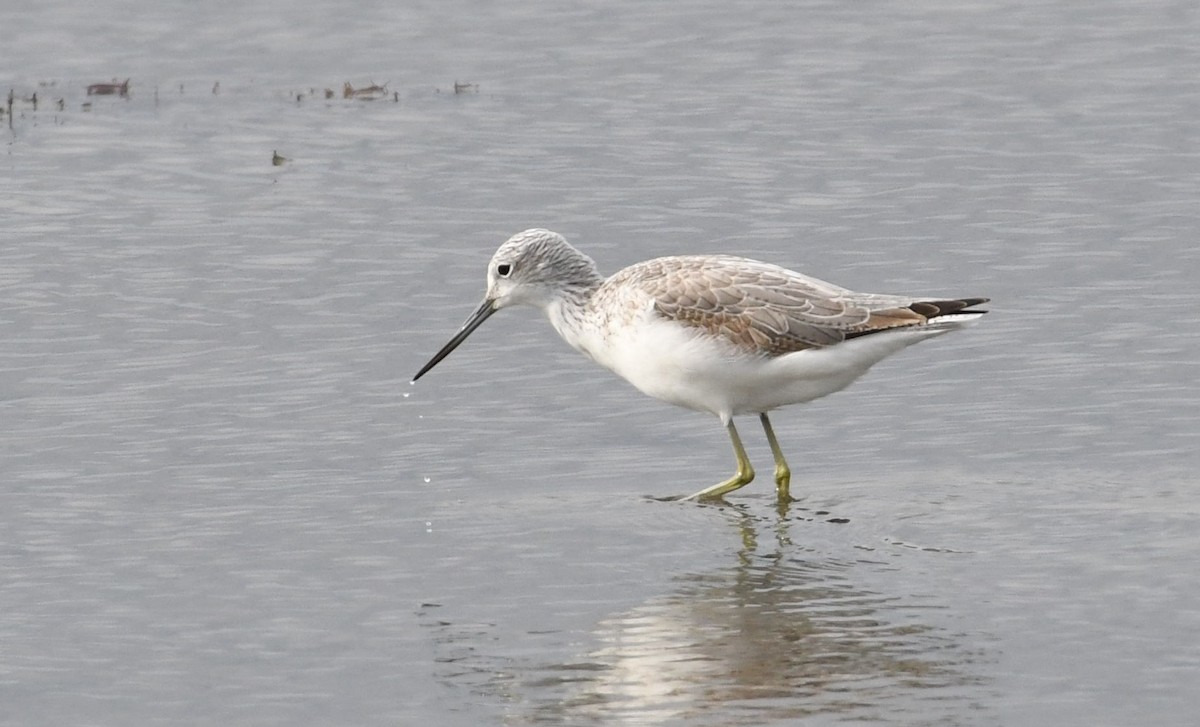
(712,333)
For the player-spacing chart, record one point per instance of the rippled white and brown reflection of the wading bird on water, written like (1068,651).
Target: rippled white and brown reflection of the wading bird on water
(781,635)
